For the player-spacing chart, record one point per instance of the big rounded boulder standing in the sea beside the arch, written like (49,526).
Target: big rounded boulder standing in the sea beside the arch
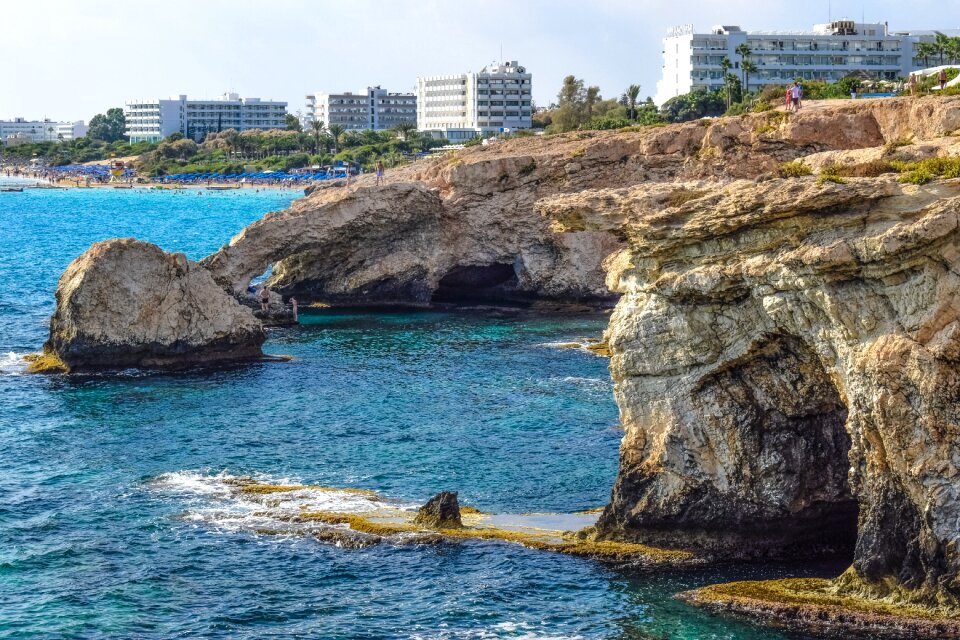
(126,303)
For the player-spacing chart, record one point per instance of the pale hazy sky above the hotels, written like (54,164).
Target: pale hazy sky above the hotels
(68,60)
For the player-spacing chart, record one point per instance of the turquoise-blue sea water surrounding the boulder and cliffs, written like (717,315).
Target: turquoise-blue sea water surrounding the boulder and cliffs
(116,519)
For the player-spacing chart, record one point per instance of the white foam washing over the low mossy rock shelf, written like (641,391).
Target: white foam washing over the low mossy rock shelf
(217,502)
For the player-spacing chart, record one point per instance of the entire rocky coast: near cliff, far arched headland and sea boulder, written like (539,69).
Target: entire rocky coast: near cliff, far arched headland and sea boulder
(784,346)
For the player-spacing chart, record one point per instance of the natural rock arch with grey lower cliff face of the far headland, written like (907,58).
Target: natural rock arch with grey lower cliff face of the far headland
(396,243)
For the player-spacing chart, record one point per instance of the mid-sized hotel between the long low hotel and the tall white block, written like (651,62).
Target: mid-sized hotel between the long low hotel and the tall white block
(374,108)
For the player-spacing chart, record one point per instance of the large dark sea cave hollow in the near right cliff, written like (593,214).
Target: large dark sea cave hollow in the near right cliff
(781,415)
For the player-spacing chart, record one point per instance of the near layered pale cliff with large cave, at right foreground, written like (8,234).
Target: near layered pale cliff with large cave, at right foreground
(780,348)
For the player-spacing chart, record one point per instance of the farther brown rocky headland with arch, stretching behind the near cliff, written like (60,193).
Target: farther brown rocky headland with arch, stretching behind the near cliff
(463,226)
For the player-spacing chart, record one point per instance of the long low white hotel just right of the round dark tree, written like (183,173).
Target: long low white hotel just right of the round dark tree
(154,120)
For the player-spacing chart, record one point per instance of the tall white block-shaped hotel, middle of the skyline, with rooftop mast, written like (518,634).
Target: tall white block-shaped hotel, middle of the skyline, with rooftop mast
(459,107)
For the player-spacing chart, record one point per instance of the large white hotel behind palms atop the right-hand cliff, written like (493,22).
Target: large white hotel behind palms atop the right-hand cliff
(829,52)
